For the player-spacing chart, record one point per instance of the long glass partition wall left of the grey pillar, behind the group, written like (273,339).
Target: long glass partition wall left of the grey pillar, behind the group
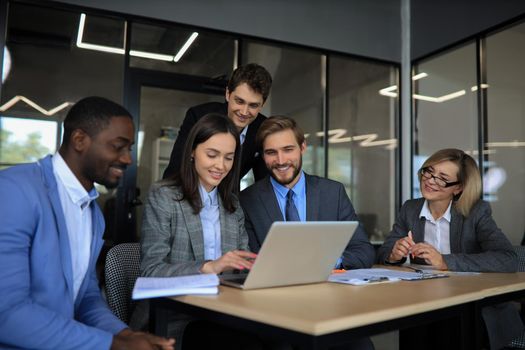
(56,55)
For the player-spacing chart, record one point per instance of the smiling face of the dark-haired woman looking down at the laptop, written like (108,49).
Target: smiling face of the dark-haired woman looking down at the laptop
(213,159)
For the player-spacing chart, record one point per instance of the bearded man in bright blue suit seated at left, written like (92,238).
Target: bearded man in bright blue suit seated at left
(51,234)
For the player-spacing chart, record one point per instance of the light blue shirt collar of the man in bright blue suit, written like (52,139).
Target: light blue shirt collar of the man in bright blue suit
(74,189)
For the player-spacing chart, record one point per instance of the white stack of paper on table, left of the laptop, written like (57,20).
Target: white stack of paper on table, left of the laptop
(152,287)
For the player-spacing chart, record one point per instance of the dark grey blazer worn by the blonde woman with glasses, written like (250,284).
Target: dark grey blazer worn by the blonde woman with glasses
(476,242)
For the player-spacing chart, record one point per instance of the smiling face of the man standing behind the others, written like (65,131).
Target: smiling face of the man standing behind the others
(244,104)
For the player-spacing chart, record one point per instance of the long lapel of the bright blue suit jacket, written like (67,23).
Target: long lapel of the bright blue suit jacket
(54,199)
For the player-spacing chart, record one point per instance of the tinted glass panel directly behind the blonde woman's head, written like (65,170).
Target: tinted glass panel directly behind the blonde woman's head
(445,106)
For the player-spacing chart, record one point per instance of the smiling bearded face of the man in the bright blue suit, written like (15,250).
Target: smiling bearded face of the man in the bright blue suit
(106,155)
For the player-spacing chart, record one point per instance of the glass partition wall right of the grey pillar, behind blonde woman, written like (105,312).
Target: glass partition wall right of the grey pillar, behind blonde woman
(480,108)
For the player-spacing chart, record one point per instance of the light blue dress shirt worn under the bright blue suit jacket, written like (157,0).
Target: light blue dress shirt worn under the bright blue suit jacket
(75,202)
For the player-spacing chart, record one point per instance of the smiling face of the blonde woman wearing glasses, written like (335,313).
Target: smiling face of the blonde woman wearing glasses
(447,171)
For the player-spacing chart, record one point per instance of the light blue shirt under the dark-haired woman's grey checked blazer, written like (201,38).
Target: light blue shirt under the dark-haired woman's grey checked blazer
(211,224)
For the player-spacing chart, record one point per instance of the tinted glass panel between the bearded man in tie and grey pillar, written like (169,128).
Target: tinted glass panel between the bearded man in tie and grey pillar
(362,142)
